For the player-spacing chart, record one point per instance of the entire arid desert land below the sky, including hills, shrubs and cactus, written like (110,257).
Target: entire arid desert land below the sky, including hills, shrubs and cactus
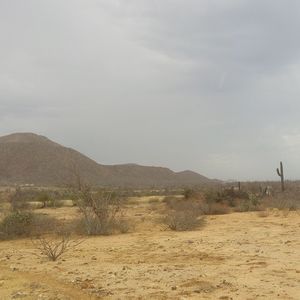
(143,233)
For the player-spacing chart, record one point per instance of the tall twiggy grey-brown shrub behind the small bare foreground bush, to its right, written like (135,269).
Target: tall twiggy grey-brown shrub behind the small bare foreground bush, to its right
(101,212)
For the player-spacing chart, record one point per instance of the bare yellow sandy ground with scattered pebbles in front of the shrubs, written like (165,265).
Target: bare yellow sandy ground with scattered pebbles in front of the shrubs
(235,256)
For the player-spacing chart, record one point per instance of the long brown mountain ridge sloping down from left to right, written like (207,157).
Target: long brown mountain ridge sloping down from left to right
(27,158)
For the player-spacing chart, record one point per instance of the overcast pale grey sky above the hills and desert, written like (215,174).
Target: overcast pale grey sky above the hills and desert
(206,85)
